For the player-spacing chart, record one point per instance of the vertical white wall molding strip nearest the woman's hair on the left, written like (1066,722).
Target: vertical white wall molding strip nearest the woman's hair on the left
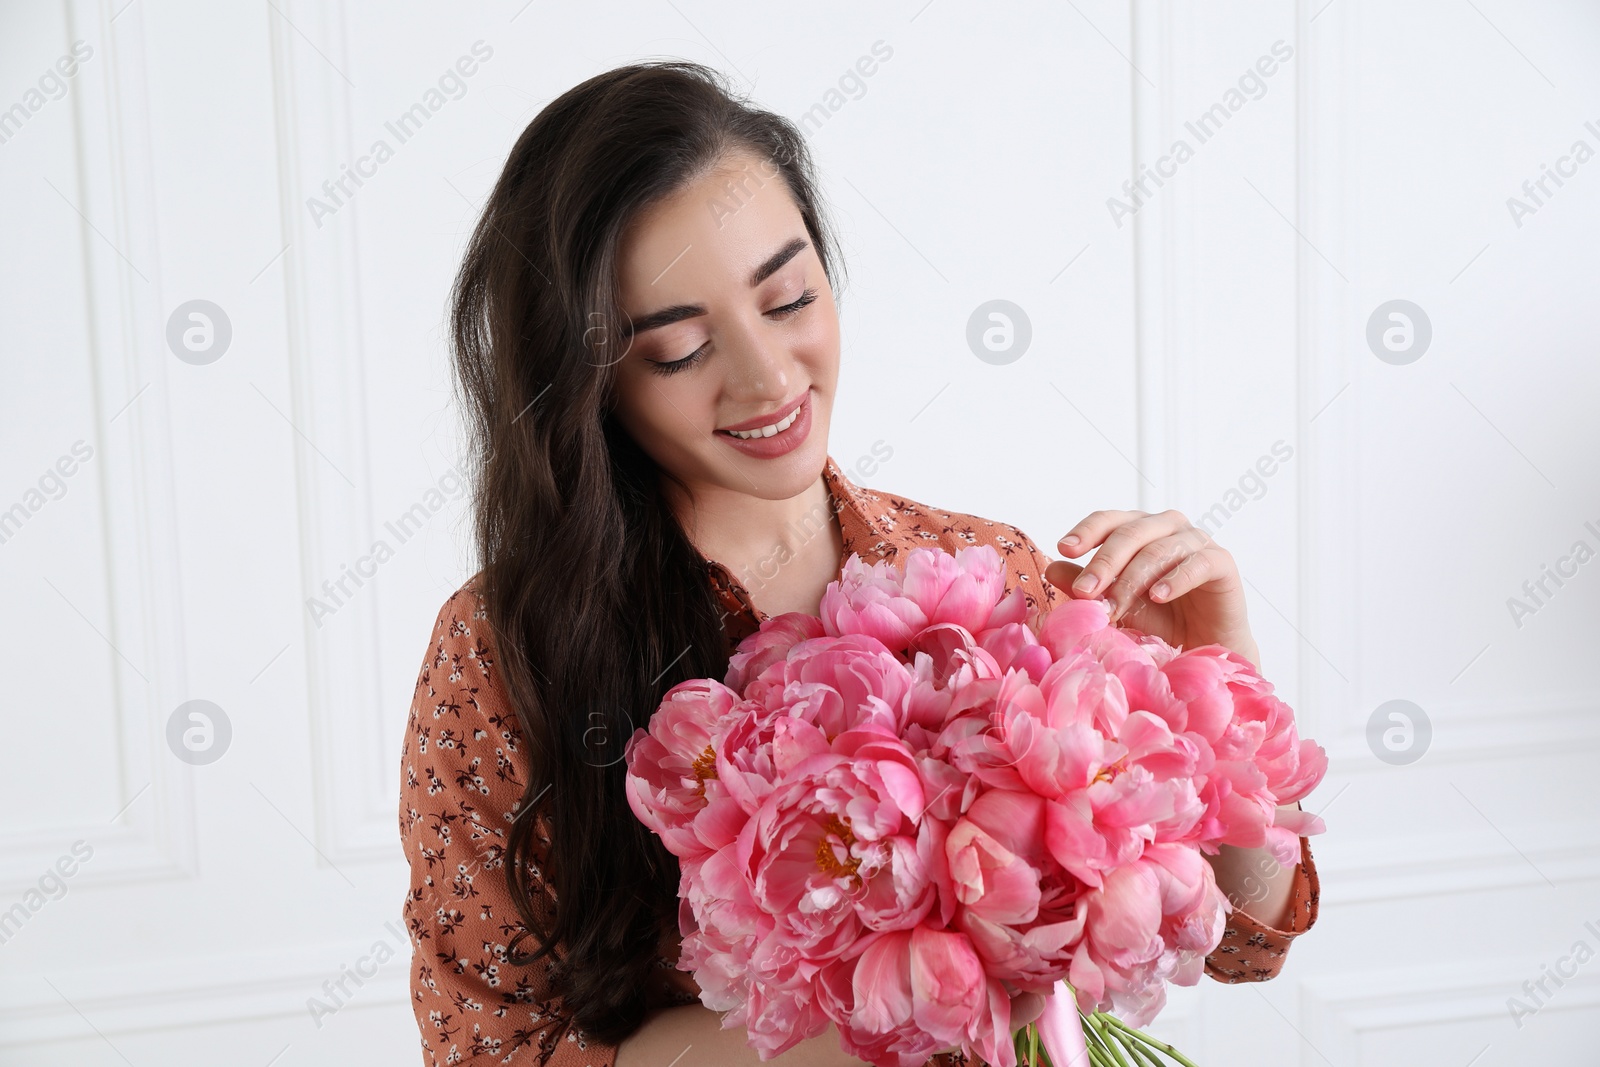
(353,753)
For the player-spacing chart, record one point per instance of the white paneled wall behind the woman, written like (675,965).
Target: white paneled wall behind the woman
(207,503)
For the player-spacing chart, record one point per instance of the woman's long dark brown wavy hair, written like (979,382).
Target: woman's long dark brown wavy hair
(596,599)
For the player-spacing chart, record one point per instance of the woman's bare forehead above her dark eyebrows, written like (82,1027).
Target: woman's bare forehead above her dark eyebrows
(714,231)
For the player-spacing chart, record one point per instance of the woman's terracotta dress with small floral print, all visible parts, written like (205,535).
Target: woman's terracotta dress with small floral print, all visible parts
(463,773)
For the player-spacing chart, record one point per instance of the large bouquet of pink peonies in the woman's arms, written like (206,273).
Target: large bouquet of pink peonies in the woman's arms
(900,815)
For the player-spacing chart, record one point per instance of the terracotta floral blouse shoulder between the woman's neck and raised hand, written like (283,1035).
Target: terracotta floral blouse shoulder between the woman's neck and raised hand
(900,524)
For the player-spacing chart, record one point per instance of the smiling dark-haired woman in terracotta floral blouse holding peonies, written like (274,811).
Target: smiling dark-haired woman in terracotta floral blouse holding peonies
(649,346)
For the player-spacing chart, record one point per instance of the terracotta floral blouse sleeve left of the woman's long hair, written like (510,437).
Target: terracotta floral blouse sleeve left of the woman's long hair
(462,783)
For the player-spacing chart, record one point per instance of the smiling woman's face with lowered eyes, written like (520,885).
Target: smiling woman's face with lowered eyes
(734,326)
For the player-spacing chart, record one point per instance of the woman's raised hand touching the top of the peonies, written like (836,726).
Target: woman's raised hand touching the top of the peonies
(1162,577)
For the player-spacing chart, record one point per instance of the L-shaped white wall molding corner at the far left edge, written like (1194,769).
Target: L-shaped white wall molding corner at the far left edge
(154,834)
